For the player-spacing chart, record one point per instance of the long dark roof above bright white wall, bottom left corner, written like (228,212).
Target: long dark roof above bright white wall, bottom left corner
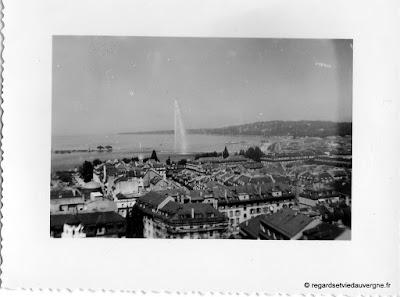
(86,218)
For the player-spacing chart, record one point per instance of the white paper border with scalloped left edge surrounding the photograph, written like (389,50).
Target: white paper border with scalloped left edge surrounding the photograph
(32,259)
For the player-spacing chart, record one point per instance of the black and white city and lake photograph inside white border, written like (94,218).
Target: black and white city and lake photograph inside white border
(201,138)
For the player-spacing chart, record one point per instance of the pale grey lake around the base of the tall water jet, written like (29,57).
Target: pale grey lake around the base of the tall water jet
(141,145)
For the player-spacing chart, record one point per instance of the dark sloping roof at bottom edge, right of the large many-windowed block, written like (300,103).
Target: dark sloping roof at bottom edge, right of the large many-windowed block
(287,222)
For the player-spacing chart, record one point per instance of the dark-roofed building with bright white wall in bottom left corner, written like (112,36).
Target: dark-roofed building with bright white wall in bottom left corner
(99,224)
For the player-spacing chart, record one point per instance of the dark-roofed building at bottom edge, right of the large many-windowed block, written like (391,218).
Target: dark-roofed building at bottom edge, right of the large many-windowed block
(285,224)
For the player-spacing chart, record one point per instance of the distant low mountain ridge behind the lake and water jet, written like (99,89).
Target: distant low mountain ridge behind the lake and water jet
(274,128)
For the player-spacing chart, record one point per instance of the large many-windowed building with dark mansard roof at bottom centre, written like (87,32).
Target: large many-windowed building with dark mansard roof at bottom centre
(162,217)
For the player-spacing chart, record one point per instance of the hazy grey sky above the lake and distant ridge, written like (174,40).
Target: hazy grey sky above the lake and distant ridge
(129,84)
